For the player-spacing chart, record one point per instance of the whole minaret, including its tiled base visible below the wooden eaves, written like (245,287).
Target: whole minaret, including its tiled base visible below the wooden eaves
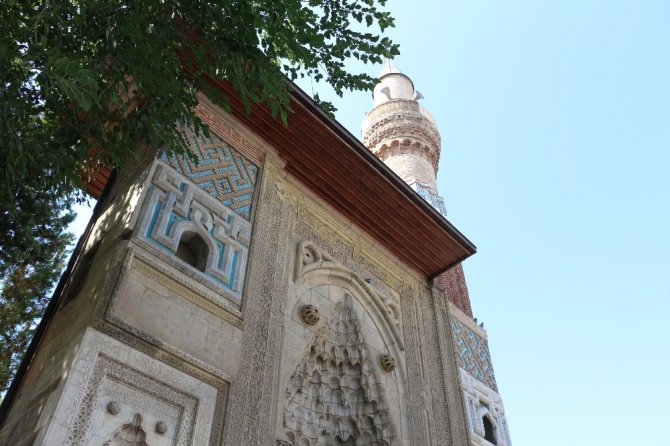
(400,132)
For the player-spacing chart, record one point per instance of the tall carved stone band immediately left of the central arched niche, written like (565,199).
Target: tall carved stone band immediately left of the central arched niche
(253,393)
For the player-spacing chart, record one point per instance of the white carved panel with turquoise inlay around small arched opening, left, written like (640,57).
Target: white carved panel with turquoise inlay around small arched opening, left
(193,227)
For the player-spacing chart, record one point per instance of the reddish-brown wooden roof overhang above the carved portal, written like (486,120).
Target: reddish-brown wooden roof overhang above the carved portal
(337,167)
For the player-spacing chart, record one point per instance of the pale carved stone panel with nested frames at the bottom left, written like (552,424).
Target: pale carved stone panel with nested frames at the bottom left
(111,385)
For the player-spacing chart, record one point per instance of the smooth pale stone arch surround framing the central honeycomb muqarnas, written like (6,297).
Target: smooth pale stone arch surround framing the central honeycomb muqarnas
(325,284)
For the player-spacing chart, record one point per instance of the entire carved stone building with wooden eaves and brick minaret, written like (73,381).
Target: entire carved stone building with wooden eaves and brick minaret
(283,287)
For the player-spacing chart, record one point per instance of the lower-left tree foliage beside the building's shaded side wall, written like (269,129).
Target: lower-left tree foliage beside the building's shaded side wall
(34,247)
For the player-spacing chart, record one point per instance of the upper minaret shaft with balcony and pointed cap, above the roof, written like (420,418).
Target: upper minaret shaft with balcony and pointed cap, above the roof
(403,134)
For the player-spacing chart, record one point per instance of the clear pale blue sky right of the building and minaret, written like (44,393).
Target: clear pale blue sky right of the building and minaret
(555,124)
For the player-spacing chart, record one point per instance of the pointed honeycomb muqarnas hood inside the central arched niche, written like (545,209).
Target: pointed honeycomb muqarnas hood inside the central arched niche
(335,396)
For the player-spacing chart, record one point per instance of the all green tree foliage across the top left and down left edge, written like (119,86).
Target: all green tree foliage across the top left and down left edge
(90,82)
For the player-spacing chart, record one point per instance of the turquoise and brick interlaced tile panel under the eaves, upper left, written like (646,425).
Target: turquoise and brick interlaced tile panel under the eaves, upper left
(220,170)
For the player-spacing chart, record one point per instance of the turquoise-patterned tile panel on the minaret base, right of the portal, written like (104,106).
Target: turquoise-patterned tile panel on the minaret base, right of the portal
(473,353)
